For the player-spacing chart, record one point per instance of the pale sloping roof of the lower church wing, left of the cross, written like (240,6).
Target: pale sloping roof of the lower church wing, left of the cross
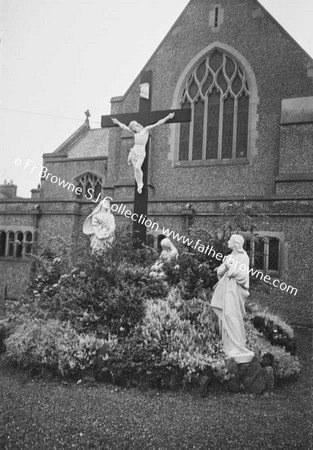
(84,142)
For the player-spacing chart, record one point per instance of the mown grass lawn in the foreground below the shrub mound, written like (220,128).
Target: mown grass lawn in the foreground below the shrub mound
(41,414)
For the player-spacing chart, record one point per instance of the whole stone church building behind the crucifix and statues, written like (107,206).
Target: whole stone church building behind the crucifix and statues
(248,147)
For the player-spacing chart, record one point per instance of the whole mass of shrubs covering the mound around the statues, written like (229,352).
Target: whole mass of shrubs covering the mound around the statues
(149,331)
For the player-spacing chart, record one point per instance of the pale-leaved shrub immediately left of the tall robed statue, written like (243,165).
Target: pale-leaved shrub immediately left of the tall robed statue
(187,333)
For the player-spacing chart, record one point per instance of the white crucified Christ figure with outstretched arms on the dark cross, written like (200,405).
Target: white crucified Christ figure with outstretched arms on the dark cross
(137,153)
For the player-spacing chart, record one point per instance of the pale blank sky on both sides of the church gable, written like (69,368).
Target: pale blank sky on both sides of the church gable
(61,57)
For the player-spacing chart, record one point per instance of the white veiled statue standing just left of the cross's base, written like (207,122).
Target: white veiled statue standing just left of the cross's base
(100,224)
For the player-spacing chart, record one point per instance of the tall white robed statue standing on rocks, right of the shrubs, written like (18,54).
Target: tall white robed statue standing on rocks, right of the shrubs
(229,298)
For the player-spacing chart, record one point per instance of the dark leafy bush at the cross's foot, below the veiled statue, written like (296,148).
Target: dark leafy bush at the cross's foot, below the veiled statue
(103,294)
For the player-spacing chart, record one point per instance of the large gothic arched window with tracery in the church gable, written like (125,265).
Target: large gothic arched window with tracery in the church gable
(218,94)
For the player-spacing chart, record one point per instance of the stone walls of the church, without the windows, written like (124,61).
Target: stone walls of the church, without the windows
(276,178)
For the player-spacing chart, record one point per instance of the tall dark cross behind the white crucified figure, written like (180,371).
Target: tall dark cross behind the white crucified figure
(145,117)
